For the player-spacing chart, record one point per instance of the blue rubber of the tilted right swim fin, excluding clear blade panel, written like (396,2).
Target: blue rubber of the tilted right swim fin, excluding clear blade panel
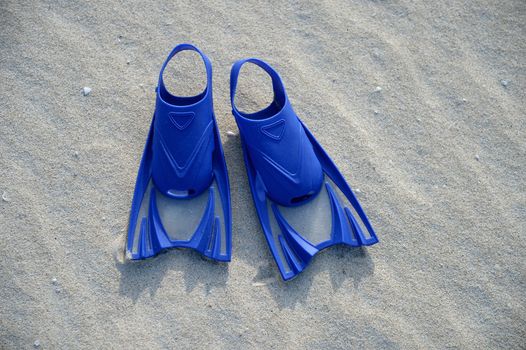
(286,165)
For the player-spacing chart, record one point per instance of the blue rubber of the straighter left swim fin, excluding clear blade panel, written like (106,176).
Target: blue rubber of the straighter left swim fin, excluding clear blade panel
(183,155)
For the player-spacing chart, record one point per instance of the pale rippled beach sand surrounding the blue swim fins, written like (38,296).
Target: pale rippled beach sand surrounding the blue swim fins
(450,269)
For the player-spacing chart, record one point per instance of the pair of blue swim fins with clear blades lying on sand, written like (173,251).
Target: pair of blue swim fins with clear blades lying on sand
(182,193)
